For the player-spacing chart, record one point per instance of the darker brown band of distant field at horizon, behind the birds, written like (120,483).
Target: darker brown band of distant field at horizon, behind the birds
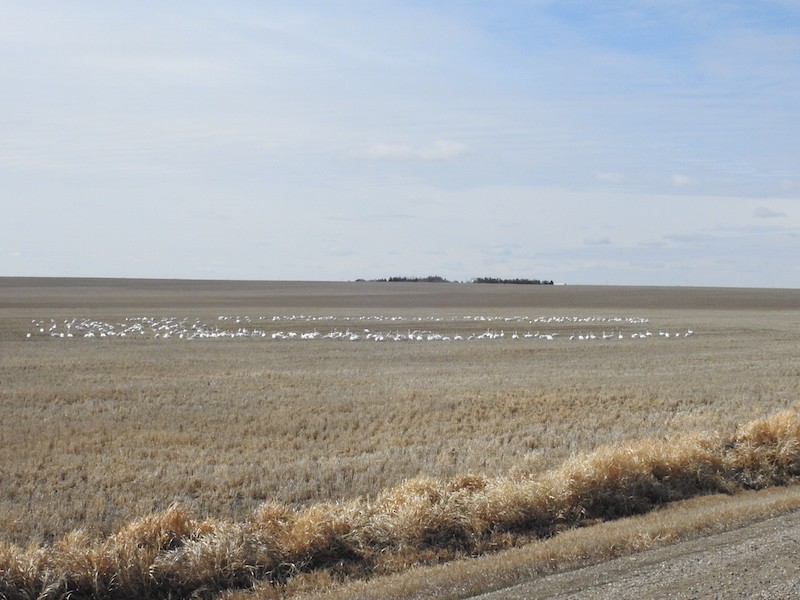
(76,294)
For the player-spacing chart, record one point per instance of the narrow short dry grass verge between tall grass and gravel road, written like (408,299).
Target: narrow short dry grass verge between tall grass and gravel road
(571,549)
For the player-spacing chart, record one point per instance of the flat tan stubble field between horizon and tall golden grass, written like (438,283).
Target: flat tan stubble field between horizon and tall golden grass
(296,401)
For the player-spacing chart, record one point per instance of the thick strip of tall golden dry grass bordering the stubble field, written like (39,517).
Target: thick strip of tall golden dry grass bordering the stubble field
(422,521)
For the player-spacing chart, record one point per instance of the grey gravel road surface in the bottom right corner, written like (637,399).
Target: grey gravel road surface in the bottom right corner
(758,561)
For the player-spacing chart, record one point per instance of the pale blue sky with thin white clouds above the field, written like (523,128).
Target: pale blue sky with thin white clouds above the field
(621,142)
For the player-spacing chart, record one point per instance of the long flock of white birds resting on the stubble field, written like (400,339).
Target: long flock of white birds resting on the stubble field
(352,329)
